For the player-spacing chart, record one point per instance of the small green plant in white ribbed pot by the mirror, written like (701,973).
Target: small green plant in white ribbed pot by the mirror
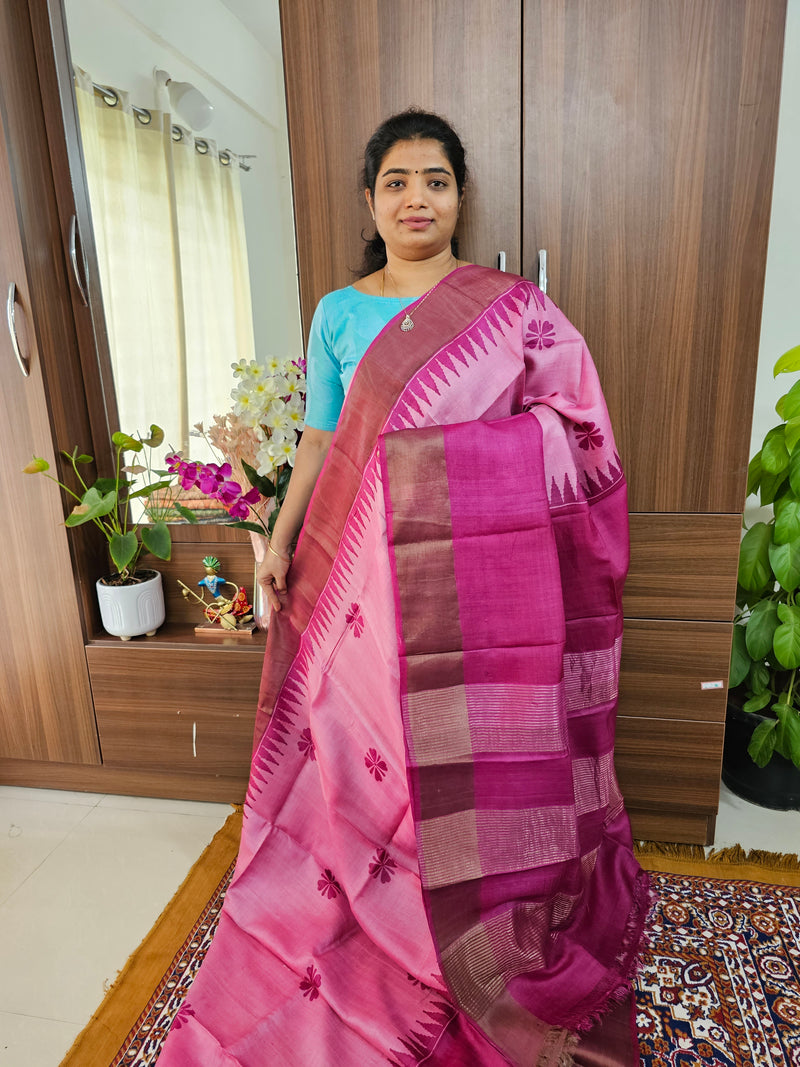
(132,599)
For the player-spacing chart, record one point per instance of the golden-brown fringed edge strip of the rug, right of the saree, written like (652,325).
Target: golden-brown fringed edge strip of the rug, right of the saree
(734,863)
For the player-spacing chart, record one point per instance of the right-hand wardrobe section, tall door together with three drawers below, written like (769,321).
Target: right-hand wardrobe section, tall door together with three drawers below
(649,151)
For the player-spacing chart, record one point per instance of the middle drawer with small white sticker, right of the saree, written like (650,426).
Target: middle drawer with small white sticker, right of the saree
(665,665)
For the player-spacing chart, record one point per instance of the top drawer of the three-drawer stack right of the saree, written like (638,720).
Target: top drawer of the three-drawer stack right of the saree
(683,567)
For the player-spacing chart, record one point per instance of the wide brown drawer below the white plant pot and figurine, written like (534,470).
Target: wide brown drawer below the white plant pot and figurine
(184,711)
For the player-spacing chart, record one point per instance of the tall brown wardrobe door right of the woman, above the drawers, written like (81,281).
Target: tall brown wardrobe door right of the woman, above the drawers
(649,151)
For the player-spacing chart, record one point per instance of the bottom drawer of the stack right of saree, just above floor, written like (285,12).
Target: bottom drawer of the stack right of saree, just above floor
(665,766)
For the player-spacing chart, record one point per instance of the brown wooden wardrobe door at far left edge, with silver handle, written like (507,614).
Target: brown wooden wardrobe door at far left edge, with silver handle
(46,710)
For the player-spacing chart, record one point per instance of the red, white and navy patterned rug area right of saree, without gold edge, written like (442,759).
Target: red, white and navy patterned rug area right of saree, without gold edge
(721,983)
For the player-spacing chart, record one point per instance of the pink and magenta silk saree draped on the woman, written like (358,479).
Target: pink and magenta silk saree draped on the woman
(436,865)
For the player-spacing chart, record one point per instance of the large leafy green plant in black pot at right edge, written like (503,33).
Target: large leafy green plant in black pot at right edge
(762,754)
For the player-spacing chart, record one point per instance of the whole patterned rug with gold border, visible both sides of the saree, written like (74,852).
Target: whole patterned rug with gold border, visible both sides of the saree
(719,986)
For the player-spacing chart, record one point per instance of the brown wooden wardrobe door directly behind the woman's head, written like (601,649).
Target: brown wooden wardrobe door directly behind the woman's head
(351,65)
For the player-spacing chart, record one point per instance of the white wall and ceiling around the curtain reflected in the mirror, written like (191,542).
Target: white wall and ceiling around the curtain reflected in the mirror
(120,42)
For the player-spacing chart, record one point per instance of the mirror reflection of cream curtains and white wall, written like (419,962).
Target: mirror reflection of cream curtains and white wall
(194,231)
